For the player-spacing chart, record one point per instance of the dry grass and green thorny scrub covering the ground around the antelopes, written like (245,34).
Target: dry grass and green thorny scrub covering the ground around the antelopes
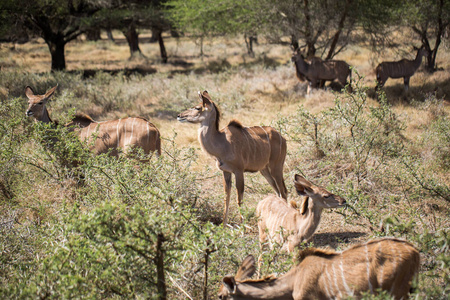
(114,227)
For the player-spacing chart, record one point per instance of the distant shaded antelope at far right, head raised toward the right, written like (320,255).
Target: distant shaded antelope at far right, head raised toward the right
(396,69)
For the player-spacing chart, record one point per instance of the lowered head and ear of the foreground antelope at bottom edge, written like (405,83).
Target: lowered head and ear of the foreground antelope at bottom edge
(229,288)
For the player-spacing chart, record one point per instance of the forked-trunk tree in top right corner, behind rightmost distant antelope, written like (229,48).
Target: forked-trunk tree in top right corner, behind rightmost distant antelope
(429,20)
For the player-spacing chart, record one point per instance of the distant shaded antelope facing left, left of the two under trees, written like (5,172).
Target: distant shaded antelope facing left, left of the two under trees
(319,69)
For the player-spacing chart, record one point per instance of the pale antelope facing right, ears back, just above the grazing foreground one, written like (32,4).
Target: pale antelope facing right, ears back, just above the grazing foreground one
(277,219)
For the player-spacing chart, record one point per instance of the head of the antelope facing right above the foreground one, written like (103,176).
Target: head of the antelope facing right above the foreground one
(319,195)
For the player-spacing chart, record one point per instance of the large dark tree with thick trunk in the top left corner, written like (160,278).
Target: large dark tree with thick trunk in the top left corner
(57,22)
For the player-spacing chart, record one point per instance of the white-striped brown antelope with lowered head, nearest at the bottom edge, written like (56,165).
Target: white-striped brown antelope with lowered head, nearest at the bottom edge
(385,264)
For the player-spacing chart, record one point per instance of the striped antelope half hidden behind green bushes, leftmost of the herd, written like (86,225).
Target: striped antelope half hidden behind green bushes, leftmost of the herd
(122,133)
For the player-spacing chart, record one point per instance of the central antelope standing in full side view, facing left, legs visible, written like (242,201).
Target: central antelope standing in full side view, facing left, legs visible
(238,149)
